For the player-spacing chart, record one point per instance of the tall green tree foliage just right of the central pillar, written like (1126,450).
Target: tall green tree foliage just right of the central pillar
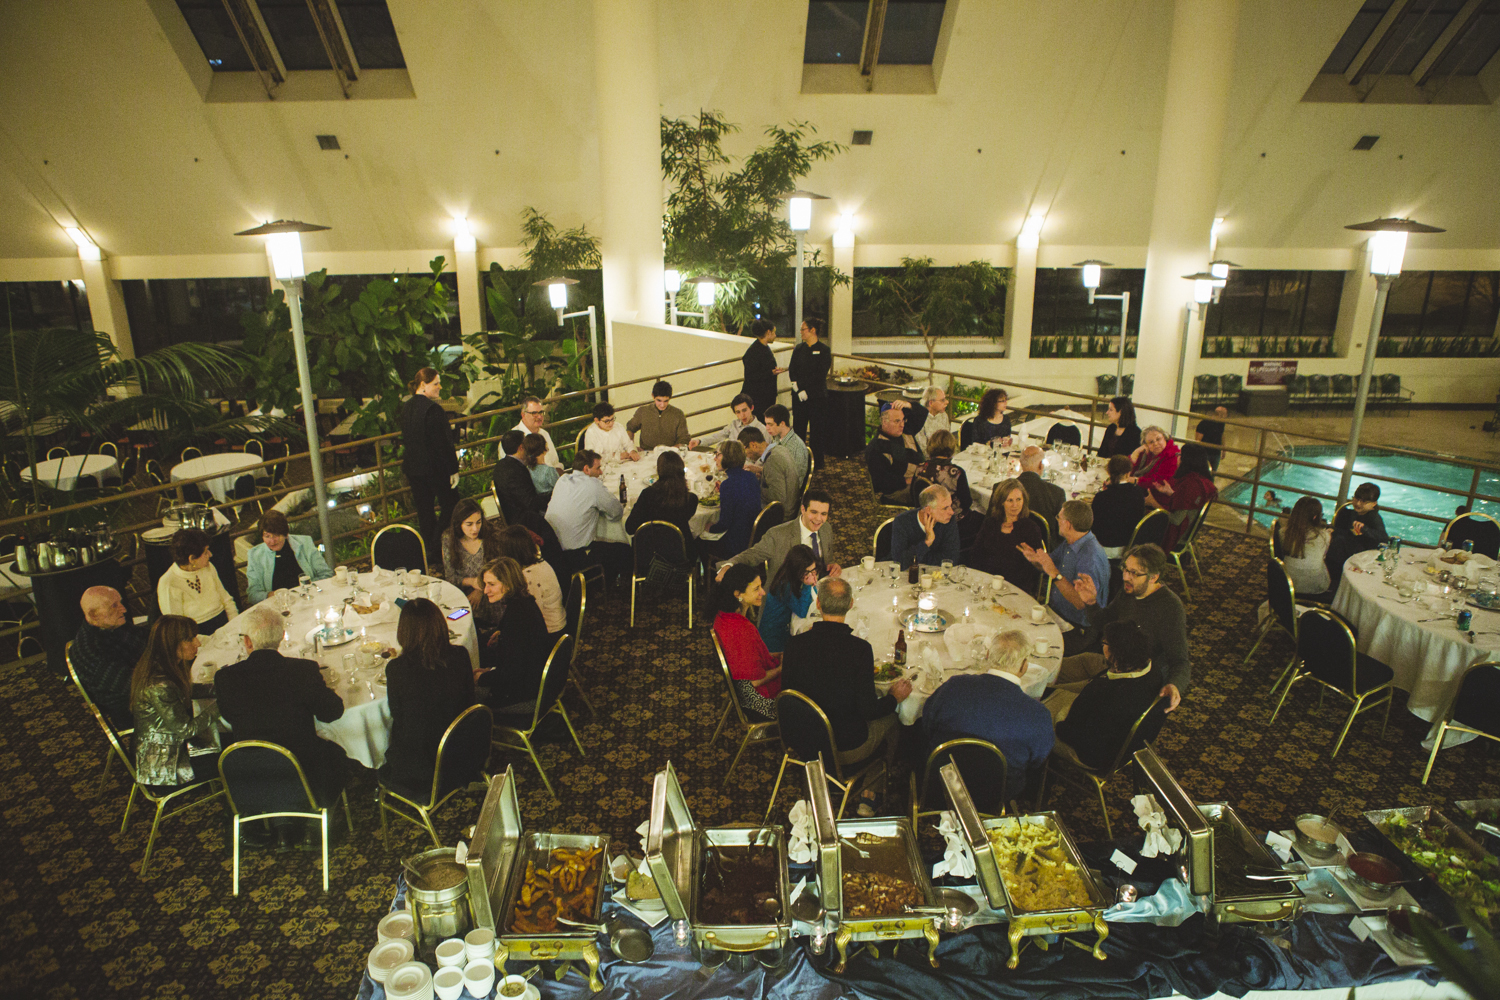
(733,223)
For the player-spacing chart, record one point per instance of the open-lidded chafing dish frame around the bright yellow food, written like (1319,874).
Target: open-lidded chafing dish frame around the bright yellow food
(1027,923)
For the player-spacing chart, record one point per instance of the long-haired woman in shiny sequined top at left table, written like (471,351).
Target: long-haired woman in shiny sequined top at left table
(163,695)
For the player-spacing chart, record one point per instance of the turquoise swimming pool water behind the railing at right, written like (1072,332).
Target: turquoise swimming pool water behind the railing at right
(1292,482)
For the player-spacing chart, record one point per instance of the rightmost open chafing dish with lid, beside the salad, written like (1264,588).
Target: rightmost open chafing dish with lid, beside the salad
(1201,825)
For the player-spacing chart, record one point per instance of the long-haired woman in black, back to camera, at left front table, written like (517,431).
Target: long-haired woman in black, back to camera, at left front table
(430,684)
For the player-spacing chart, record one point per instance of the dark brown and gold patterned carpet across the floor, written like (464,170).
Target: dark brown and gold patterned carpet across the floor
(82,923)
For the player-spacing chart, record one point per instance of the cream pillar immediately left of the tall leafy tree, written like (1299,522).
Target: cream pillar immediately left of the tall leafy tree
(631,161)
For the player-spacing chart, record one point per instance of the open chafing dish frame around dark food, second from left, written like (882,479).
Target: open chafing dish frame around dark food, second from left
(677,852)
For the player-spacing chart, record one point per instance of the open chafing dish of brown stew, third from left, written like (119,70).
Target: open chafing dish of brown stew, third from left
(895,854)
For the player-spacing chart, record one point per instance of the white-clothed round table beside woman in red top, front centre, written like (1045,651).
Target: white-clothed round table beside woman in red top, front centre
(935,657)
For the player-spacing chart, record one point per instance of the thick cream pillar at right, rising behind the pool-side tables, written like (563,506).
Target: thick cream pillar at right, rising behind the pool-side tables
(1199,73)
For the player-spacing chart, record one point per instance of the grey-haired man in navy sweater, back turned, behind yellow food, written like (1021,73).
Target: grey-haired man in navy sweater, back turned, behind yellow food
(994,707)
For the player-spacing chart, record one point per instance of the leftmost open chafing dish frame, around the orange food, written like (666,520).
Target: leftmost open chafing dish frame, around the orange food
(497,870)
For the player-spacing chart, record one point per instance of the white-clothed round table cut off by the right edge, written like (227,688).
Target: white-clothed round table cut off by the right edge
(1429,657)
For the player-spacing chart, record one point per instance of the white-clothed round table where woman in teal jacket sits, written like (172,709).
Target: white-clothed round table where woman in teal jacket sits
(364,731)
